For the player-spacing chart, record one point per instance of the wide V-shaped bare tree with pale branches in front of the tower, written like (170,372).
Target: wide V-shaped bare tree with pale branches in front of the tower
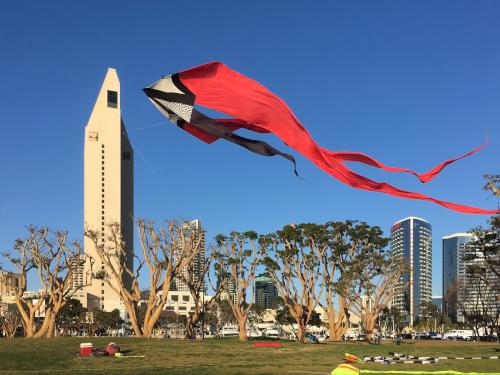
(166,250)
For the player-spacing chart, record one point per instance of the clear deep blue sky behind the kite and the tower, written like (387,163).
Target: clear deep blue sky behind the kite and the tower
(409,83)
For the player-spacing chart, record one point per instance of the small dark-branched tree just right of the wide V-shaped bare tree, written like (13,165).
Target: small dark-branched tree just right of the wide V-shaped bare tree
(195,279)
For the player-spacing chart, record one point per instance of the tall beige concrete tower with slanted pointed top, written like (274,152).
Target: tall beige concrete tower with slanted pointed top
(108,184)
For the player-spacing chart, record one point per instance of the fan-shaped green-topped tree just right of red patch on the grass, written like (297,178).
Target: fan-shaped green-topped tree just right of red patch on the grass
(293,263)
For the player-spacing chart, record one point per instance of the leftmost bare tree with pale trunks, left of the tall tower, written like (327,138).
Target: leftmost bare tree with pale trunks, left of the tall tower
(57,264)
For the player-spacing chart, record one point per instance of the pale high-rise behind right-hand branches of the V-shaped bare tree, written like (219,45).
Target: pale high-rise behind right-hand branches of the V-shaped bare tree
(194,231)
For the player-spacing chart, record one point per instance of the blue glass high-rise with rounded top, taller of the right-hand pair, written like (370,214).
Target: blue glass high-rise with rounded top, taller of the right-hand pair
(411,239)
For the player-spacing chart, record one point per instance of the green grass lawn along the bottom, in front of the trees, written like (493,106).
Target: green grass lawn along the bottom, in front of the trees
(226,356)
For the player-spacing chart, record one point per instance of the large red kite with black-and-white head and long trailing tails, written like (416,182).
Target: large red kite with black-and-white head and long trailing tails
(255,108)
